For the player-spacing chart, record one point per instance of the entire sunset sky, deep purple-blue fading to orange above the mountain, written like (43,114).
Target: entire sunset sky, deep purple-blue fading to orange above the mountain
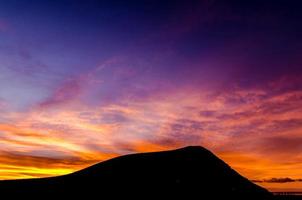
(85,81)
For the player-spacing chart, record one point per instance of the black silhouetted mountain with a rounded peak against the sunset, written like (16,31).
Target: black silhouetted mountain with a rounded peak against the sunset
(188,173)
